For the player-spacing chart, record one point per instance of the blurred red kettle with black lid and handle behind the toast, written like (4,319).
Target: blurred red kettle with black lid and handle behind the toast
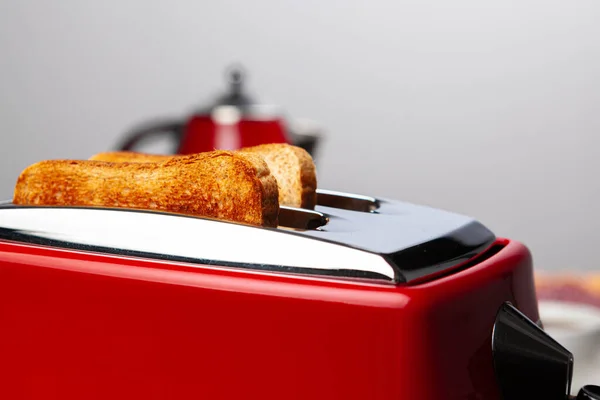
(234,121)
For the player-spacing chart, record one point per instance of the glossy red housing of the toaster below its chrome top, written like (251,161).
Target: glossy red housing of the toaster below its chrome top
(89,326)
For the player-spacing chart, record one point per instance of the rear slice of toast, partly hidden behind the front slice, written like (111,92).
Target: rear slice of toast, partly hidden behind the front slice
(292,166)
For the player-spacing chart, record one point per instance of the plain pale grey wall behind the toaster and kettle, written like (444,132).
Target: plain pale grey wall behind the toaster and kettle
(490,109)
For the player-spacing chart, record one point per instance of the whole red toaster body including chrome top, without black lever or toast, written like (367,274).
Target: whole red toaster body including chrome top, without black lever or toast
(360,299)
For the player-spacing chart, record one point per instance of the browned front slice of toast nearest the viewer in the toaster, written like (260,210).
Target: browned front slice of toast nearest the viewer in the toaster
(237,187)
